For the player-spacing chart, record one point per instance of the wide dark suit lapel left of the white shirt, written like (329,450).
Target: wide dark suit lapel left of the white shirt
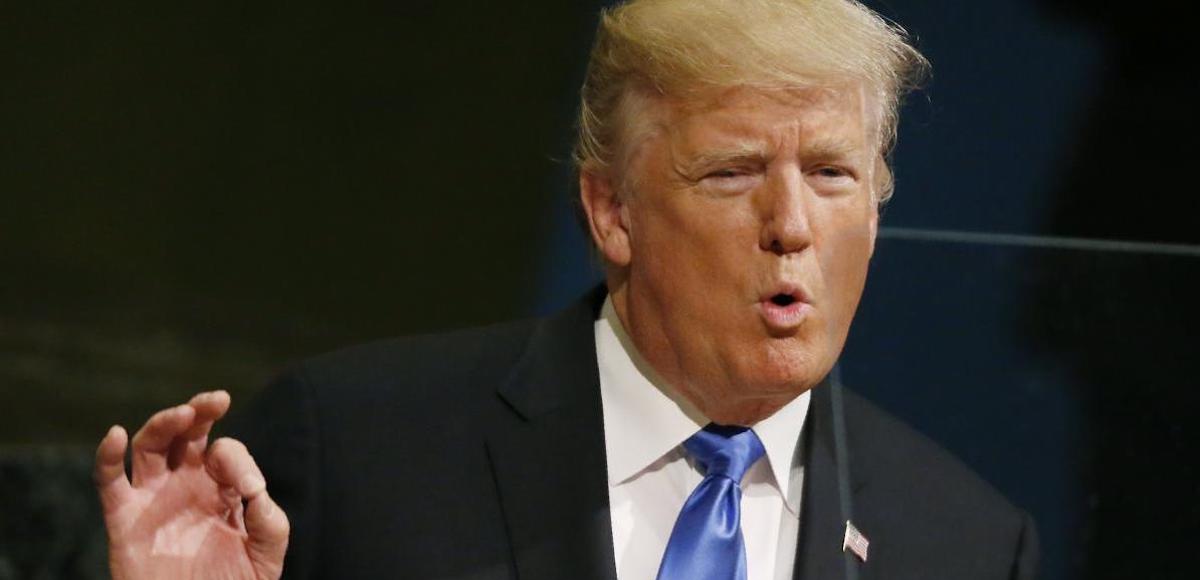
(549,456)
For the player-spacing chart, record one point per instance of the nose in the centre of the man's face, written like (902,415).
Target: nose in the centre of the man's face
(785,214)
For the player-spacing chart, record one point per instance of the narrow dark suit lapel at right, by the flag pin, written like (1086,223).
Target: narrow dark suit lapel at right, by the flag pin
(823,525)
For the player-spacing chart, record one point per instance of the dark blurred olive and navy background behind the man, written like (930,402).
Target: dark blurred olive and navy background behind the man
(193,195)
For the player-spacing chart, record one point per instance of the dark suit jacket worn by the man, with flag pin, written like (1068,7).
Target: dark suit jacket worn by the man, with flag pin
(481,455)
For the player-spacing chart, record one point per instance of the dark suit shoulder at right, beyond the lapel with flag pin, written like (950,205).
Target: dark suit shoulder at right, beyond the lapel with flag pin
(929,504)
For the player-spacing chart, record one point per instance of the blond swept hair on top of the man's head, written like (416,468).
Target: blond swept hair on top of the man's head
(679,47)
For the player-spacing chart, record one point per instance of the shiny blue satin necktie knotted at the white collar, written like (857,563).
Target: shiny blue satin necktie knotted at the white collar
(706,543)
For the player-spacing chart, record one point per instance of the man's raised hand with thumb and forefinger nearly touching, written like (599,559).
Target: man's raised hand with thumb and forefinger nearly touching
(183,517)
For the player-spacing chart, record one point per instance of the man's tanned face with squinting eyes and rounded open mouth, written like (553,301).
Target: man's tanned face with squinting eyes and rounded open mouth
(741,254)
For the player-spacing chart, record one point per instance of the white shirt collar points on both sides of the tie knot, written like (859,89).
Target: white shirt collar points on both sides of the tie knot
(645,420)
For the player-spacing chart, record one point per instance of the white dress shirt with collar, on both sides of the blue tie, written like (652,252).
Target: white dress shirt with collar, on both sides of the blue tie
(651,475)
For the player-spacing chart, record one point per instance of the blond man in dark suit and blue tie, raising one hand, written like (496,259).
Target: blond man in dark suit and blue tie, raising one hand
(677,424)
